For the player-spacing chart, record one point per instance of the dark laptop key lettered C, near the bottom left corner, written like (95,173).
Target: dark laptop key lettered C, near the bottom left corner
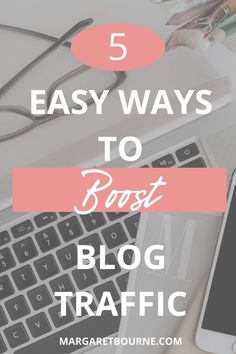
(16,335)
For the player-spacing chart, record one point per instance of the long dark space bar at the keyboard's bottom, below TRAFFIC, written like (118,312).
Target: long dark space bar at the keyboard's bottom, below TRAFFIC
(92,327)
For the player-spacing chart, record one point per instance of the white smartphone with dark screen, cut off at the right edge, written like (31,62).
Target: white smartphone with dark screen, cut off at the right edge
(216,332)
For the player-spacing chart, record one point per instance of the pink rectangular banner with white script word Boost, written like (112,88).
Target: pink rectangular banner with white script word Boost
(119,190)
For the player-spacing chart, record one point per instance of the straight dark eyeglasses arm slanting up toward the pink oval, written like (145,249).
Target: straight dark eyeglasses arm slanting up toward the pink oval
(60,41)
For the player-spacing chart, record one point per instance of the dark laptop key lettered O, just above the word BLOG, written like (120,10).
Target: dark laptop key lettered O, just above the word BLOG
(114,235)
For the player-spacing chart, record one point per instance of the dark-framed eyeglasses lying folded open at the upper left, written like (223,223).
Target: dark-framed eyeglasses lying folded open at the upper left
(18,115)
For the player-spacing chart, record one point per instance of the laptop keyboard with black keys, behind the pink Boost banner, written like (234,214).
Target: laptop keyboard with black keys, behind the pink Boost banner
(38,257)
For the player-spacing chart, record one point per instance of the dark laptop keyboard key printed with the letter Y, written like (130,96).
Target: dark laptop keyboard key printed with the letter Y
(46,267)
